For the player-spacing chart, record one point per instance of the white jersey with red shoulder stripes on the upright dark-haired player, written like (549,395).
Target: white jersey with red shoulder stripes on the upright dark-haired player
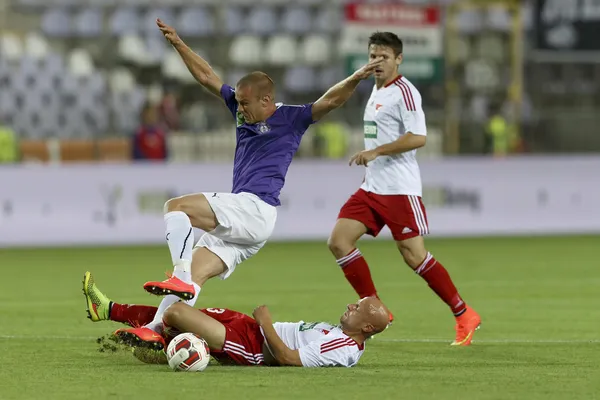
(393,111)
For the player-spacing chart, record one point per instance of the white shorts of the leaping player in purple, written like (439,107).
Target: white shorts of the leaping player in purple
(245,224)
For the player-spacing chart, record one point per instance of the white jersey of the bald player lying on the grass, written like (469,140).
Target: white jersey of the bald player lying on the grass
(320,344)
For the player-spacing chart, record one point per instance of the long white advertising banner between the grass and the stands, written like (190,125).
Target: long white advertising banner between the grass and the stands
(122,204)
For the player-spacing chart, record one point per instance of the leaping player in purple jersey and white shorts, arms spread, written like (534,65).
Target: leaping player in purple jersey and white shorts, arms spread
(237,224)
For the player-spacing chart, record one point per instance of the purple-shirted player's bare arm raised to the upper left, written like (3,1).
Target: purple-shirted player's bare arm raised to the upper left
(197,66)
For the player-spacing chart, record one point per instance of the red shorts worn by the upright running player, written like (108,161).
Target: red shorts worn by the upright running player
(405,215)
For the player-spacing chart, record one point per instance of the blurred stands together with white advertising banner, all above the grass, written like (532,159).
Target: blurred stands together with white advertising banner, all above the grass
(510,91)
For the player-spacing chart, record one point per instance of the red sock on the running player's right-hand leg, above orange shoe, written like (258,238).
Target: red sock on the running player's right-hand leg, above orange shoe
(439,281)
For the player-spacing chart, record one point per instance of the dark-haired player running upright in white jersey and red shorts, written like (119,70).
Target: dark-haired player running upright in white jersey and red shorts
(394,128)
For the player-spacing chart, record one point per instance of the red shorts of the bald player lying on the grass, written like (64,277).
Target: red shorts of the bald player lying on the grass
(243,338)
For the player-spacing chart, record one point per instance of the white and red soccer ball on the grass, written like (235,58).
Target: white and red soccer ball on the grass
(188,352)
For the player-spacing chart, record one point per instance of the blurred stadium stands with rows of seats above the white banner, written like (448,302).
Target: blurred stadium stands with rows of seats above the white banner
(80,72)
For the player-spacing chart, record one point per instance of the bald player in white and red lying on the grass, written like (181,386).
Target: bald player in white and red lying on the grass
(236,338)
